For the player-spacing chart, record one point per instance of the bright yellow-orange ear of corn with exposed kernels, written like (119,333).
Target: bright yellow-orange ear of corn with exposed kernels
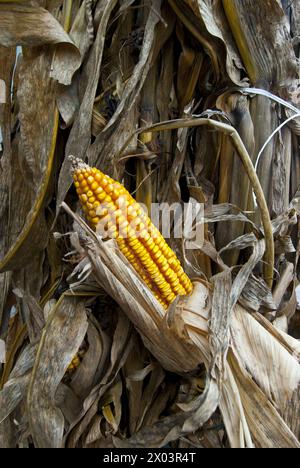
(109,207)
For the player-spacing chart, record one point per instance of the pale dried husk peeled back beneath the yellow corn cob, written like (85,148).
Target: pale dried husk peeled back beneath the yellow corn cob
(247,361)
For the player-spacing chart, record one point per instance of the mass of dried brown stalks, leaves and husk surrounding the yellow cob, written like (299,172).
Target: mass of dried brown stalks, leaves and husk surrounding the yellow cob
(182,101)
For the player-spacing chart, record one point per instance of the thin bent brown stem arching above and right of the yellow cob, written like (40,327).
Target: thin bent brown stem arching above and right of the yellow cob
(249,168)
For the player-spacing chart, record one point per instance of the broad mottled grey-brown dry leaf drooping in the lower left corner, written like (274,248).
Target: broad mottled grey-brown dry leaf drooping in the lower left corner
(62,336)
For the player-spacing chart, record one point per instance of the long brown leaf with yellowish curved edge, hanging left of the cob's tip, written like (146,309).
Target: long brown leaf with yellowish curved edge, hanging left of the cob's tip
(28,231)
